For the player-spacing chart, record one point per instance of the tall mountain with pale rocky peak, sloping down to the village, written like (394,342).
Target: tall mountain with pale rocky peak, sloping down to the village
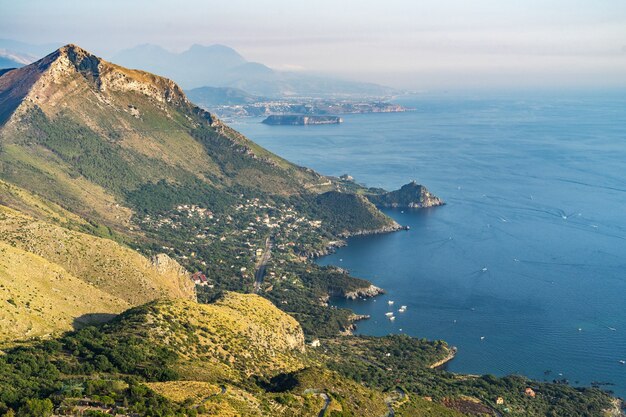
(123,154)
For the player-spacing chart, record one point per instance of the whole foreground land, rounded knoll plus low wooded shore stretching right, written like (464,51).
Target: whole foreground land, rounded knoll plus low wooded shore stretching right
(242,356)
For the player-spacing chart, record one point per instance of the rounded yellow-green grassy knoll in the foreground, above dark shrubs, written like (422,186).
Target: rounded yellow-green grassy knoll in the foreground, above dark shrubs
(243,333)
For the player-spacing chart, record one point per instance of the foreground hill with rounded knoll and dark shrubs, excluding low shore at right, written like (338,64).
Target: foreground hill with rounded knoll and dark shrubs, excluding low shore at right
(239,356)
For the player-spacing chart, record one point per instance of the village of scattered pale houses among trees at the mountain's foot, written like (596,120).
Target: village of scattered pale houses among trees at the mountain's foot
(224,248)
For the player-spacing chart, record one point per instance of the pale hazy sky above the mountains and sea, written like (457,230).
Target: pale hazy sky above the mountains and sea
(418,44)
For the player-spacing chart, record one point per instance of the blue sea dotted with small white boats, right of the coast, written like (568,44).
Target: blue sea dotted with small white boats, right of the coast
(524,268)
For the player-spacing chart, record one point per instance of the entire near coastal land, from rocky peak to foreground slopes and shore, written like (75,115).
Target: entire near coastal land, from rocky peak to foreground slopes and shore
(114,189)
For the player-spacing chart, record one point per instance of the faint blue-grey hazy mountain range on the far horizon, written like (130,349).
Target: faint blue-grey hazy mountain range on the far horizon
(221,66)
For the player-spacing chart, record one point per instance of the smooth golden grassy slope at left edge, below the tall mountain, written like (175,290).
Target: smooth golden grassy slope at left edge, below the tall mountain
(55,275)
